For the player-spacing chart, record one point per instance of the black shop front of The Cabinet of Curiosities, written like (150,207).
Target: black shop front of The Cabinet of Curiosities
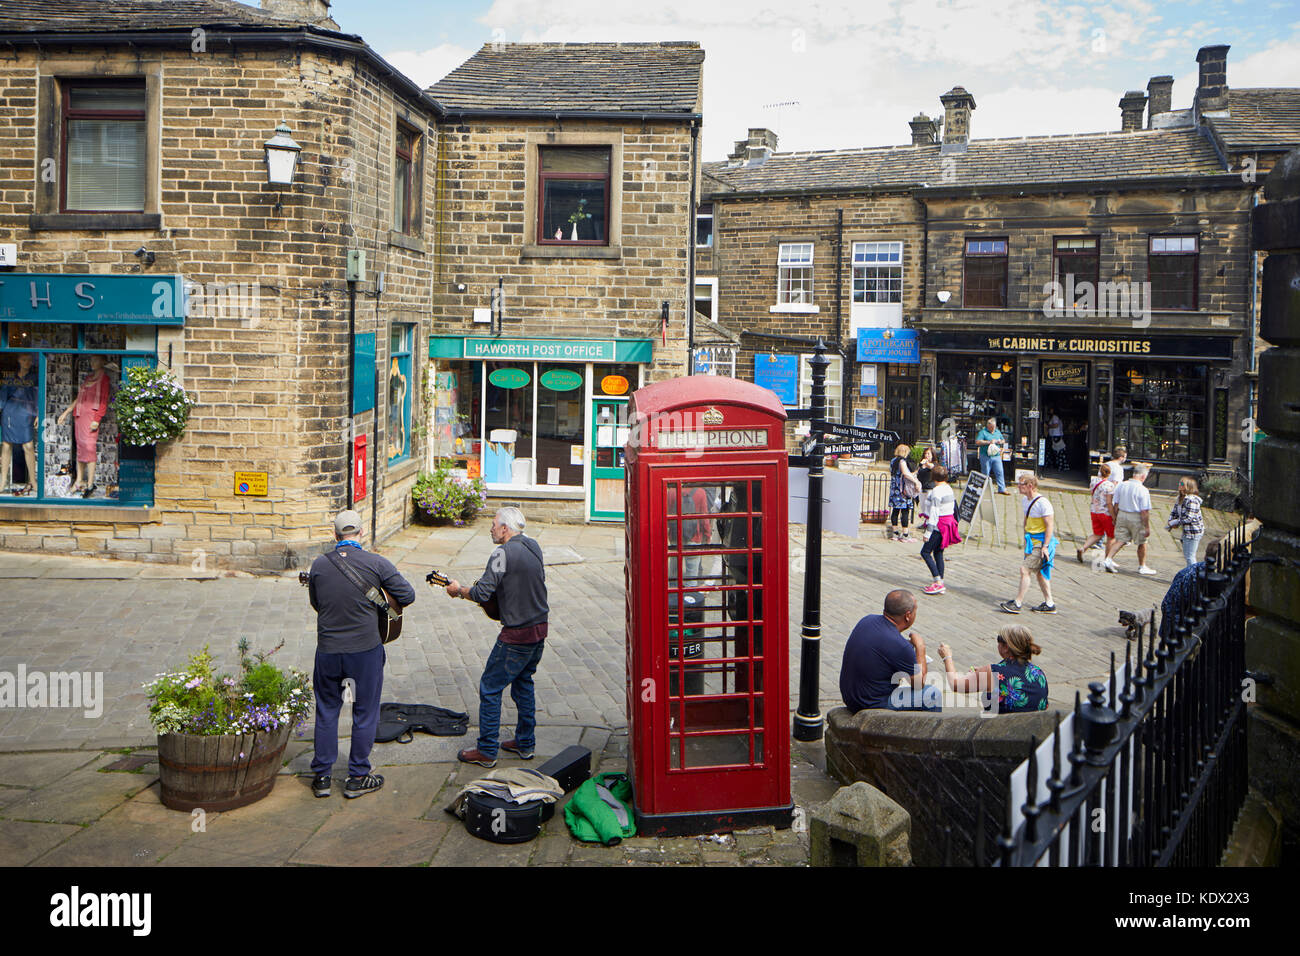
(1064,400)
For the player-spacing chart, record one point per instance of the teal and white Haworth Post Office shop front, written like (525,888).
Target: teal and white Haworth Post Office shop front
(538,418)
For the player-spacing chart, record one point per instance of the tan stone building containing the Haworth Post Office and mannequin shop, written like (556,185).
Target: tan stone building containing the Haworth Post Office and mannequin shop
(141,226)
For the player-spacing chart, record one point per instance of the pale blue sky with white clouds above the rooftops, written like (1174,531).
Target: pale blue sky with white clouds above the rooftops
(835,75)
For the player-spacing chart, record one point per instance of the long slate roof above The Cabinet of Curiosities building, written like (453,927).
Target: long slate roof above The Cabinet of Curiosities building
(1081,158)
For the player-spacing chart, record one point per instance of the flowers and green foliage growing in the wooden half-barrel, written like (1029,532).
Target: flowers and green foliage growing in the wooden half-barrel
(200,700)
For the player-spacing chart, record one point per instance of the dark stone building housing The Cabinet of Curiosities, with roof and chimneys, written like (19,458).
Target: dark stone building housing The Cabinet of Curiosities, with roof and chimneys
(1108,279)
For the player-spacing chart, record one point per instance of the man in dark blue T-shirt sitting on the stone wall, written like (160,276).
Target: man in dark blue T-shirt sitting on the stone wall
(878,659)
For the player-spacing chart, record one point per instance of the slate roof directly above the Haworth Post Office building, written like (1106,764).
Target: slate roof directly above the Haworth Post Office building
(577,77)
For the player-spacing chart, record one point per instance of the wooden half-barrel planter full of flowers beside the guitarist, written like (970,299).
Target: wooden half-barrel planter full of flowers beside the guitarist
(222,738)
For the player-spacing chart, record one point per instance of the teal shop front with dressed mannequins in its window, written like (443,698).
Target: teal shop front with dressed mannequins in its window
(66,341)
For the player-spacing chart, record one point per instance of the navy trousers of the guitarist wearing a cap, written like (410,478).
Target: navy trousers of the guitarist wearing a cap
(328,676)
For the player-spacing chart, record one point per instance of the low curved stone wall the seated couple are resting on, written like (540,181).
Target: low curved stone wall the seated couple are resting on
(938,768)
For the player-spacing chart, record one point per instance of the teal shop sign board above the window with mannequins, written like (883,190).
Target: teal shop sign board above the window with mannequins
(33,297)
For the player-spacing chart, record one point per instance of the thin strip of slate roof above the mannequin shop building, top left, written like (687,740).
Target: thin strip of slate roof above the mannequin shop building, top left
(115,16)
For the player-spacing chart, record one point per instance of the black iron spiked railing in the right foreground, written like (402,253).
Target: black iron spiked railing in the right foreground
(1156,775)
